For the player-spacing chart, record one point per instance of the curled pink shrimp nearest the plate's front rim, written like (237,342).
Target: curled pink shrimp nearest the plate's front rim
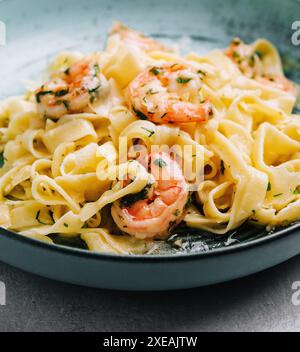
(154,211)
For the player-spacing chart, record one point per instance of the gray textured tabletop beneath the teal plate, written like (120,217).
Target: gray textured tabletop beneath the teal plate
(261,302)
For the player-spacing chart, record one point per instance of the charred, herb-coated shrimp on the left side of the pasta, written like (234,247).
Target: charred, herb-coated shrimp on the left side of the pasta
(71,91)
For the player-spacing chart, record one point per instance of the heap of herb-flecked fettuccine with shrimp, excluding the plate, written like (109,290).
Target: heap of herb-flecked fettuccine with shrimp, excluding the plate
(121,146)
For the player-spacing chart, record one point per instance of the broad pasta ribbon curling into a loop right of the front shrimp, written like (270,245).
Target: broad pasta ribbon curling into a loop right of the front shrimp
(245,179)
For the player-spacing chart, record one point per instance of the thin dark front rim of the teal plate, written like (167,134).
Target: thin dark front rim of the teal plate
(78,252)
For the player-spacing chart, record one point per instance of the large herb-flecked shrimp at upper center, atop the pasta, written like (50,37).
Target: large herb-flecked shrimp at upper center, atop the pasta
(169,94)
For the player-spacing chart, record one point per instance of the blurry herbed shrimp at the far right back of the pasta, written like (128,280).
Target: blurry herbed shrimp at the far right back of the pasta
(249,62)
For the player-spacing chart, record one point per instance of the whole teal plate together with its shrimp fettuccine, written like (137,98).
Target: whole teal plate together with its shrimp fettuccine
(146,157)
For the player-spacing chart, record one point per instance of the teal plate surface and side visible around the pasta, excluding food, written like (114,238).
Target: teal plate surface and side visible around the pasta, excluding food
(37,30)
